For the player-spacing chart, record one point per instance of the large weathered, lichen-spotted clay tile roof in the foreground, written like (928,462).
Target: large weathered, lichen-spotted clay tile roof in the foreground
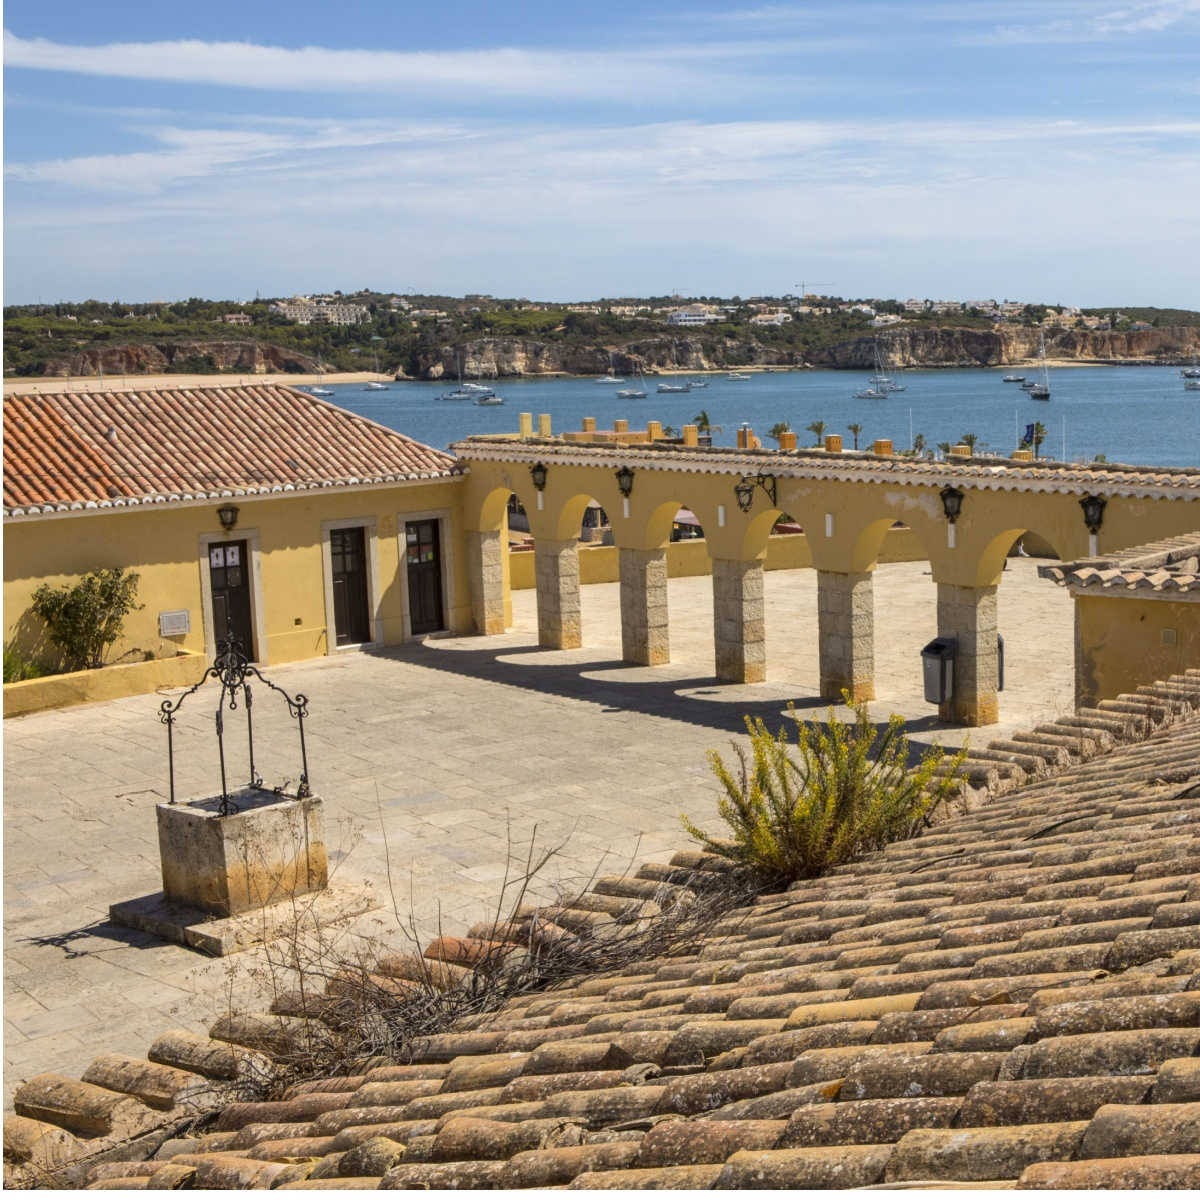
(1012,999)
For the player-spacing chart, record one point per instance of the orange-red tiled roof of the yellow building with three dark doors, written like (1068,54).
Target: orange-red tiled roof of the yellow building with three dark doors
(100,451)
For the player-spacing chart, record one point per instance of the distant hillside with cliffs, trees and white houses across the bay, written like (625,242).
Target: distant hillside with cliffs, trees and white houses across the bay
(514,339)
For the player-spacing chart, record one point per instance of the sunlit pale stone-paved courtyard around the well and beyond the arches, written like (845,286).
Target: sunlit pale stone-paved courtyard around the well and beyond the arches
(434,760)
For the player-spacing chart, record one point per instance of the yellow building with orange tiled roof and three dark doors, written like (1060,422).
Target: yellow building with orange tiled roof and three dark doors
(260,511)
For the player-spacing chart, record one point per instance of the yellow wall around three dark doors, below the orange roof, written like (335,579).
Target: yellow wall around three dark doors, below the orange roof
(163,545)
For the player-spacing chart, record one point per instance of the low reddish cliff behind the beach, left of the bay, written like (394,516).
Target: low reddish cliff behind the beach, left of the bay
(249,358)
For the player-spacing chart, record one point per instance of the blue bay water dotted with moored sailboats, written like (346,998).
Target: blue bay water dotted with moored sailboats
(1139,416)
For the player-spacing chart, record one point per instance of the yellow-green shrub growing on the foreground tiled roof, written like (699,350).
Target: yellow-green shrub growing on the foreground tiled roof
(847,790)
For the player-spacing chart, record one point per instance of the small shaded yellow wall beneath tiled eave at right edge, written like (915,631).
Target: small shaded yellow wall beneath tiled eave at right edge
(1119,644)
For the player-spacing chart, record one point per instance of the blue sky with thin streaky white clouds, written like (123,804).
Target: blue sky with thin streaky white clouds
(1039,151)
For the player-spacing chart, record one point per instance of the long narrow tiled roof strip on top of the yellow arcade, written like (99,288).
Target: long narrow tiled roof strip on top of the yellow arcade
(861,466)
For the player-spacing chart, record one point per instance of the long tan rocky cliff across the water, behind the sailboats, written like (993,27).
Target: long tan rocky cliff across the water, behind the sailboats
(499,358)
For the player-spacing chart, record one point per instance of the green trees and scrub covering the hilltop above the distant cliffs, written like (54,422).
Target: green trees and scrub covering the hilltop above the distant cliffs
(40,339)
